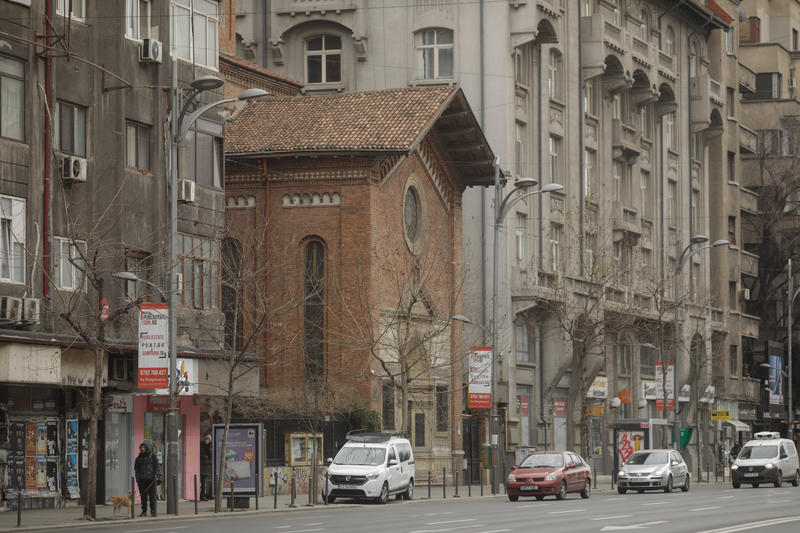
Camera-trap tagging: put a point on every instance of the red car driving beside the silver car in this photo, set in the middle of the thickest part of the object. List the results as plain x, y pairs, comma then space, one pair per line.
549, 473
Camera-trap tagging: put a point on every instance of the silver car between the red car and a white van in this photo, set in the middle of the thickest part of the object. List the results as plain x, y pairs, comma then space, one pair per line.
653, 470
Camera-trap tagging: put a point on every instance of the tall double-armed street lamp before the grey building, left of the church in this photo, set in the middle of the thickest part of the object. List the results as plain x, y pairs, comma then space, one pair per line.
181, 123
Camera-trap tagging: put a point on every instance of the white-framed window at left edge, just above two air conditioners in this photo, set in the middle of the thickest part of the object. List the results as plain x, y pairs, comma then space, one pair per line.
12, 239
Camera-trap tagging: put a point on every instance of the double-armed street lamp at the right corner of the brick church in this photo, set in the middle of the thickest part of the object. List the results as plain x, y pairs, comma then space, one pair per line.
502, 205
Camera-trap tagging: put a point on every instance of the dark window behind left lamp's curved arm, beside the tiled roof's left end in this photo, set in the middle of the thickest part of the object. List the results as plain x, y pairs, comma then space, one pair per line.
200, 157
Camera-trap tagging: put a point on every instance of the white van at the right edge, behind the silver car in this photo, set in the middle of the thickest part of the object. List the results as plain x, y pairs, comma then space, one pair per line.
766, 459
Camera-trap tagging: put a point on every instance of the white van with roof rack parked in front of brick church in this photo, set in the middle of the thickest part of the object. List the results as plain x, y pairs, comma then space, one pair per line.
371, 465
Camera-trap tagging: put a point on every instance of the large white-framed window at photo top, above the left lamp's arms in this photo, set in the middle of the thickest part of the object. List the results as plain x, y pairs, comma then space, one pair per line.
195, 31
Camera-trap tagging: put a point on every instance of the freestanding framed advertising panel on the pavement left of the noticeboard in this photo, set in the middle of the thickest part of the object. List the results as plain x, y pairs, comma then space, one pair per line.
241, 456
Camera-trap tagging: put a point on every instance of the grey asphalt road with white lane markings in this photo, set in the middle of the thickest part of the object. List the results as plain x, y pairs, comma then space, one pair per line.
705, 509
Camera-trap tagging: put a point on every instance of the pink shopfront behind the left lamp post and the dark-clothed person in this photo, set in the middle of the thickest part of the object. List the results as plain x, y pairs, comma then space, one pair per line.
150, 423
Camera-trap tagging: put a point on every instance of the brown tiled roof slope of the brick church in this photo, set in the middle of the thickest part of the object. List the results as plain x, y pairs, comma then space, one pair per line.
390, 119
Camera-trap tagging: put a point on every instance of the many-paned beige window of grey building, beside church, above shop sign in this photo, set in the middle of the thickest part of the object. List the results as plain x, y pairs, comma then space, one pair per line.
201, 271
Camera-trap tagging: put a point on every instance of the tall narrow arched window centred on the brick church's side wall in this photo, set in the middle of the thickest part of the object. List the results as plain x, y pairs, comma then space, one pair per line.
314, 309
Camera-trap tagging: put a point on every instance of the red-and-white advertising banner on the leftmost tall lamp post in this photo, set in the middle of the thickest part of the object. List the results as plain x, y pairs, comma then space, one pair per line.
153, 346
